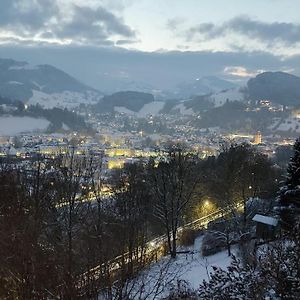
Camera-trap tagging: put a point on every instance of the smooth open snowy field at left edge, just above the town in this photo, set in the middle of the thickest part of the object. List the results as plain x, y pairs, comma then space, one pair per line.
17, 125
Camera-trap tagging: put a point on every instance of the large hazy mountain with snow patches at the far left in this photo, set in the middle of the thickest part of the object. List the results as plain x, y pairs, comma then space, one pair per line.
21, 81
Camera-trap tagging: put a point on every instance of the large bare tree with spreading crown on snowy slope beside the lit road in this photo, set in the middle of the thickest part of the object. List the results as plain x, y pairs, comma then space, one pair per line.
173, 184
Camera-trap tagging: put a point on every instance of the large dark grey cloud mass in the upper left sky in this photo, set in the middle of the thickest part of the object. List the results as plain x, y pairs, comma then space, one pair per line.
29, 19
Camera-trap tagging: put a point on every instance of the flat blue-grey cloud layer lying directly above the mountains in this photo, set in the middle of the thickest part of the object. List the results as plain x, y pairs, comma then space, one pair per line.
103, 68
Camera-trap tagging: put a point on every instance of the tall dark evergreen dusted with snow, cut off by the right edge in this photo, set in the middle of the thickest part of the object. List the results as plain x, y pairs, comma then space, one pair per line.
289, 195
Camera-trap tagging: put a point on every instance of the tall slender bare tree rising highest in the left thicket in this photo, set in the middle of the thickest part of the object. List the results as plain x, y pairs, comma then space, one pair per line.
72, 177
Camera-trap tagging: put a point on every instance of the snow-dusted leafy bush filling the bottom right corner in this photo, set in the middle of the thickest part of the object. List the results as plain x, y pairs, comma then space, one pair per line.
273, 274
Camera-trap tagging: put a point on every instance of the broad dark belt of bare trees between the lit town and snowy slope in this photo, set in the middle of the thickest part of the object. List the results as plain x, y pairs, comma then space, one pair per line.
50, 239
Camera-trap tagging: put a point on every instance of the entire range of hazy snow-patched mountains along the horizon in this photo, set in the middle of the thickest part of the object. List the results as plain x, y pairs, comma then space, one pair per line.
51, 87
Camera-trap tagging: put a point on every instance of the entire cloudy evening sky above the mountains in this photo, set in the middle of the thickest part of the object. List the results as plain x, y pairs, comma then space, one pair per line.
160, 42
